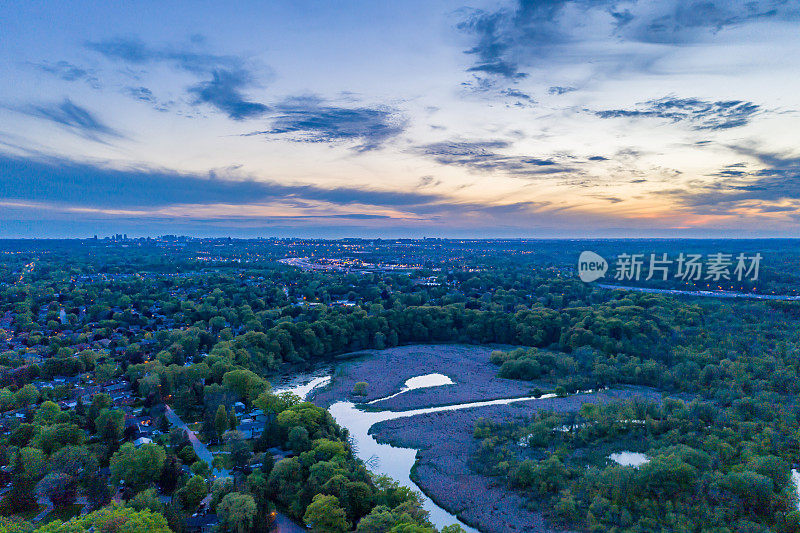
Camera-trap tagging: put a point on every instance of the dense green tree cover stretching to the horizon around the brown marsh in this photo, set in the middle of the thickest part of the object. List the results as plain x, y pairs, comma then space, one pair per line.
203, 328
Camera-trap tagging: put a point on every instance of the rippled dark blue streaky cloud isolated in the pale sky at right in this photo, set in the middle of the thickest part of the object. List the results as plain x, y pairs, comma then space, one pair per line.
700, 114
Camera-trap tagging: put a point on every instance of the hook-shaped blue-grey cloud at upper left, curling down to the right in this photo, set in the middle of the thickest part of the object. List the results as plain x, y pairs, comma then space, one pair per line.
226, 77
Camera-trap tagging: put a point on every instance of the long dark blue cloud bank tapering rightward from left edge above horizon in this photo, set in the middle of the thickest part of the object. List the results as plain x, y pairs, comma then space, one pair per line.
64, 182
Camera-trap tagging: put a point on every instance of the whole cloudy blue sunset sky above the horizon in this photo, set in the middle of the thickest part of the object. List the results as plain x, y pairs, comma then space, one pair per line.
552, 118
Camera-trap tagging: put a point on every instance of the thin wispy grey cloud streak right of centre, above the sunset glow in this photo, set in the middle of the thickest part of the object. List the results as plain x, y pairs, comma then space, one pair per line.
485, 156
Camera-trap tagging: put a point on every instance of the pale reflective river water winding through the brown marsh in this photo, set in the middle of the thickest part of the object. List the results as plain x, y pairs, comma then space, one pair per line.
384, 458
